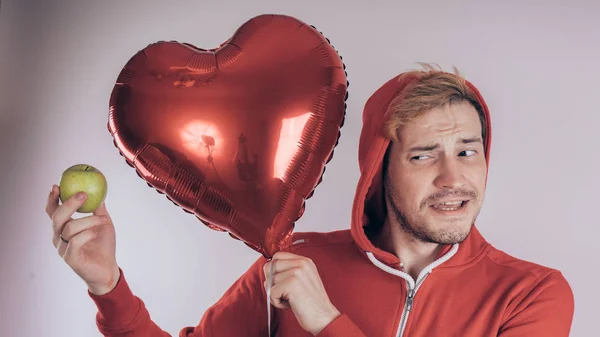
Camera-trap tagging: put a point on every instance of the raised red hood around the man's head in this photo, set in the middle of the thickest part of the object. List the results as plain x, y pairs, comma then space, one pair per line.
369, 210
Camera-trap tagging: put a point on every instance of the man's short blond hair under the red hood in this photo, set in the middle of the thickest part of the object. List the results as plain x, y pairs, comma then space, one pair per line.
433, 88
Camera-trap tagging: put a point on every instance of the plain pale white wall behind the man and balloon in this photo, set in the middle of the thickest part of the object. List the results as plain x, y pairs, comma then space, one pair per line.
536, 64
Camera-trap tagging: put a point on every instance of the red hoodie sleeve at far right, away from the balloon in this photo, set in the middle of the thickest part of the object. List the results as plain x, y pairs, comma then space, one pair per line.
547, 310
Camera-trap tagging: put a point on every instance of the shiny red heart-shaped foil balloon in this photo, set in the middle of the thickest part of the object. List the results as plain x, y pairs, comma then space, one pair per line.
238, 135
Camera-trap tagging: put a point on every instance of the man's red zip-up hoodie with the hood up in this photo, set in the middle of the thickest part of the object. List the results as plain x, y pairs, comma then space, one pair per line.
473, 289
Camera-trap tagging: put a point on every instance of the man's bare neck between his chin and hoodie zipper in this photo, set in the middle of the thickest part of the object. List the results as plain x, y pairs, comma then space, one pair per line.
413, 253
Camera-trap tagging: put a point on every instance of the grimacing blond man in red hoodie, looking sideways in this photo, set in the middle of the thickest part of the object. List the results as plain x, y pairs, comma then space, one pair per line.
412, 264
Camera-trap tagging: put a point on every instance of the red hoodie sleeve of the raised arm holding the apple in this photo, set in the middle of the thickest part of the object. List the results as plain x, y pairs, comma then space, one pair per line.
121, 313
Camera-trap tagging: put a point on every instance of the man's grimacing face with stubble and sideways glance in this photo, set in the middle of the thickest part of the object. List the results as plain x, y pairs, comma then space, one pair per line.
436, 174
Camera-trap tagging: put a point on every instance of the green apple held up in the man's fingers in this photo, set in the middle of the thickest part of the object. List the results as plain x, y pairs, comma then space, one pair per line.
86, 178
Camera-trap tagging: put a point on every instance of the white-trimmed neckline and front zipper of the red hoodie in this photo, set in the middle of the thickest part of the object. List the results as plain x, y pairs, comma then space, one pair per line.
412, 287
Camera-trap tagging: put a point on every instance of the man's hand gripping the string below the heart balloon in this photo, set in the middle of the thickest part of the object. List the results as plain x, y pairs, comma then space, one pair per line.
297, 285
